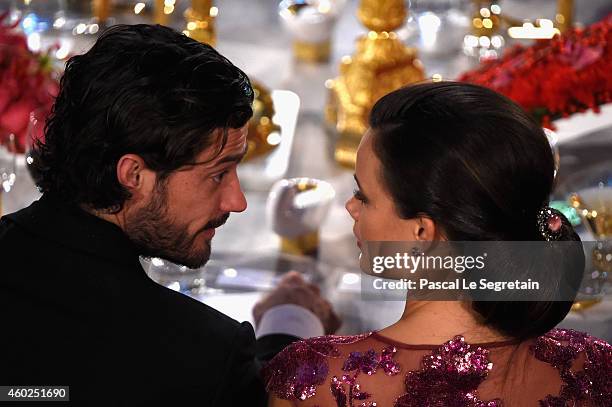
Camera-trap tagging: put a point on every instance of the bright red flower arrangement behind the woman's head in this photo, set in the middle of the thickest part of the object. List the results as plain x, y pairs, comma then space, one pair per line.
555, 78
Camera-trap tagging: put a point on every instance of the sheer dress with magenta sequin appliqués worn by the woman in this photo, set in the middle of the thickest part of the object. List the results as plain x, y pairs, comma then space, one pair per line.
561, 368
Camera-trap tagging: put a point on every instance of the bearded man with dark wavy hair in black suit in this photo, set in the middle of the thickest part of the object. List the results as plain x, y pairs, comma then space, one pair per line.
139, 158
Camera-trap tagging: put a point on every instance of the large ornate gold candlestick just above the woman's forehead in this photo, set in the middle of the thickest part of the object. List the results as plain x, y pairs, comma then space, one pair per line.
380, 65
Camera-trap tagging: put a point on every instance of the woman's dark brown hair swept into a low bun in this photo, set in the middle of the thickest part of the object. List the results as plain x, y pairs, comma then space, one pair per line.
481, 168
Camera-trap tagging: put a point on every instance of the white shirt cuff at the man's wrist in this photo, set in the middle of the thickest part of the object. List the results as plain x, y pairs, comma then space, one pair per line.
290, 319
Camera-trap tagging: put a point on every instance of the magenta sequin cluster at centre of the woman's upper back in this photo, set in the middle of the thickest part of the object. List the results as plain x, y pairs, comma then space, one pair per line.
449, 376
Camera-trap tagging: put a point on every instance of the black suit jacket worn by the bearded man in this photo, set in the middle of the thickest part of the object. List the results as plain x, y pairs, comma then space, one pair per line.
78, 310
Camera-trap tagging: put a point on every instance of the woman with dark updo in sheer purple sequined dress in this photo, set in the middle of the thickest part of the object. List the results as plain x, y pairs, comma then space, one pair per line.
454, 162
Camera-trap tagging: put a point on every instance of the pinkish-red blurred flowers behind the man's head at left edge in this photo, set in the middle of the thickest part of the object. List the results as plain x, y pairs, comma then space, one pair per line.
27, 83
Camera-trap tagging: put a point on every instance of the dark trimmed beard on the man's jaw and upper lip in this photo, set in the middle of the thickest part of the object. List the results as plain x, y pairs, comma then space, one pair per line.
155, 234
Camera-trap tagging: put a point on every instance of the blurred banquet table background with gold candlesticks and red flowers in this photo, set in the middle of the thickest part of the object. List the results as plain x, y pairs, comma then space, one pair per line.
318, 66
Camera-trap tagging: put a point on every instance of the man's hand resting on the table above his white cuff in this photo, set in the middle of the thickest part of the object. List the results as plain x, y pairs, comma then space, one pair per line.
293, 289
